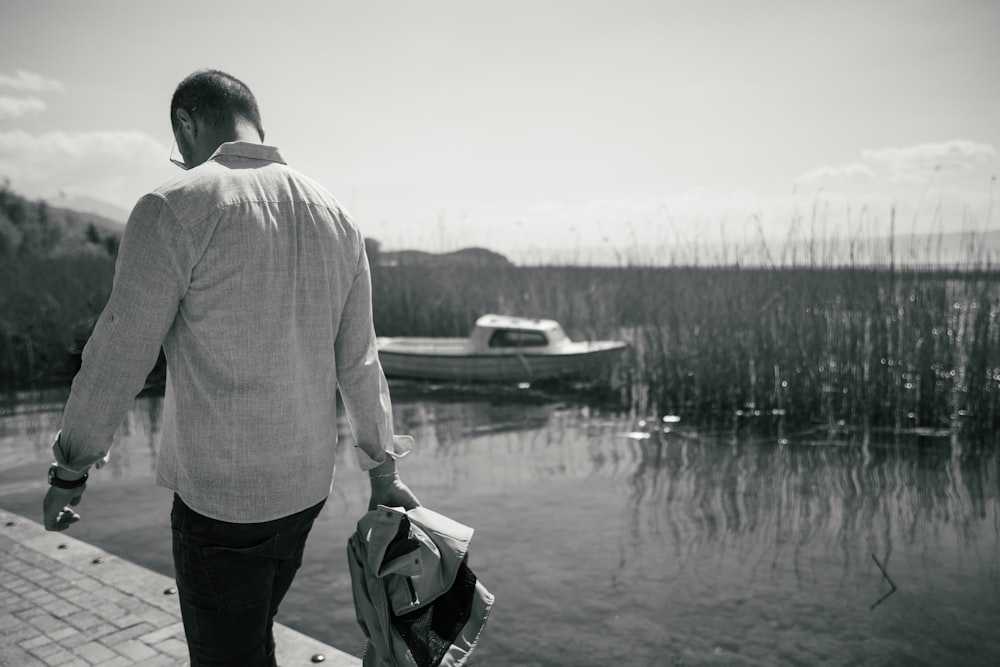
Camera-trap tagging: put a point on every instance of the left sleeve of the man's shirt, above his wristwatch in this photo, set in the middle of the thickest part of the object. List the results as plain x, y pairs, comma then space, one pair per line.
151, 277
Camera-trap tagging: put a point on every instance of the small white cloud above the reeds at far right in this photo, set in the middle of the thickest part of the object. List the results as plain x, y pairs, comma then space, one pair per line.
920, 160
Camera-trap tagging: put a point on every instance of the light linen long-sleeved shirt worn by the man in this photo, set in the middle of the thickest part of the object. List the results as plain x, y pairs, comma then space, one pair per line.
256, 283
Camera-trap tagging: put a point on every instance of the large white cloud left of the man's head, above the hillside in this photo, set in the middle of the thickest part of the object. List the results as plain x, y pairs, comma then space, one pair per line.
115, 166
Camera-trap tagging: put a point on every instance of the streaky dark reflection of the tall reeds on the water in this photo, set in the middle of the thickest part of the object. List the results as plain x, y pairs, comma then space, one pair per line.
768, 501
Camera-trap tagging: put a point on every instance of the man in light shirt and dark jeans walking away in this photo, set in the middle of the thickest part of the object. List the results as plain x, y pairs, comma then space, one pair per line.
256, 284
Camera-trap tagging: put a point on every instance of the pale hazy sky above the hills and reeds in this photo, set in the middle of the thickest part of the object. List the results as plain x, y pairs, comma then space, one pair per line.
559, 130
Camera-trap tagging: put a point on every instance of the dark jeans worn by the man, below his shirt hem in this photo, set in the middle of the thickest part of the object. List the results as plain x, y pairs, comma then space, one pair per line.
231, 578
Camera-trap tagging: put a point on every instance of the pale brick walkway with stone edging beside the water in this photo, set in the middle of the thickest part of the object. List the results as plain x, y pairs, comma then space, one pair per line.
66, 603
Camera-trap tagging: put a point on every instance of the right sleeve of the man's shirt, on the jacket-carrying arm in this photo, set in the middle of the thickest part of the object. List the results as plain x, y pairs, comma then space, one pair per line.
362, 383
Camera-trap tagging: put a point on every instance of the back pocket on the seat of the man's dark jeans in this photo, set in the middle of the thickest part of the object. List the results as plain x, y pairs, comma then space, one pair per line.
240, 577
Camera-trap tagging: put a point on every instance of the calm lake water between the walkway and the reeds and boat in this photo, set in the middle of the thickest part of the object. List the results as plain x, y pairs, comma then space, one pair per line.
608, 541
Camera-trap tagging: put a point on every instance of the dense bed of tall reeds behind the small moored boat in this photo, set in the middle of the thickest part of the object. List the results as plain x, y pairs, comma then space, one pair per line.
868, 348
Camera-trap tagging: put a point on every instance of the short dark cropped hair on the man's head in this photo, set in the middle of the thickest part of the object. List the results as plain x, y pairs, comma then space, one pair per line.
217, 98
